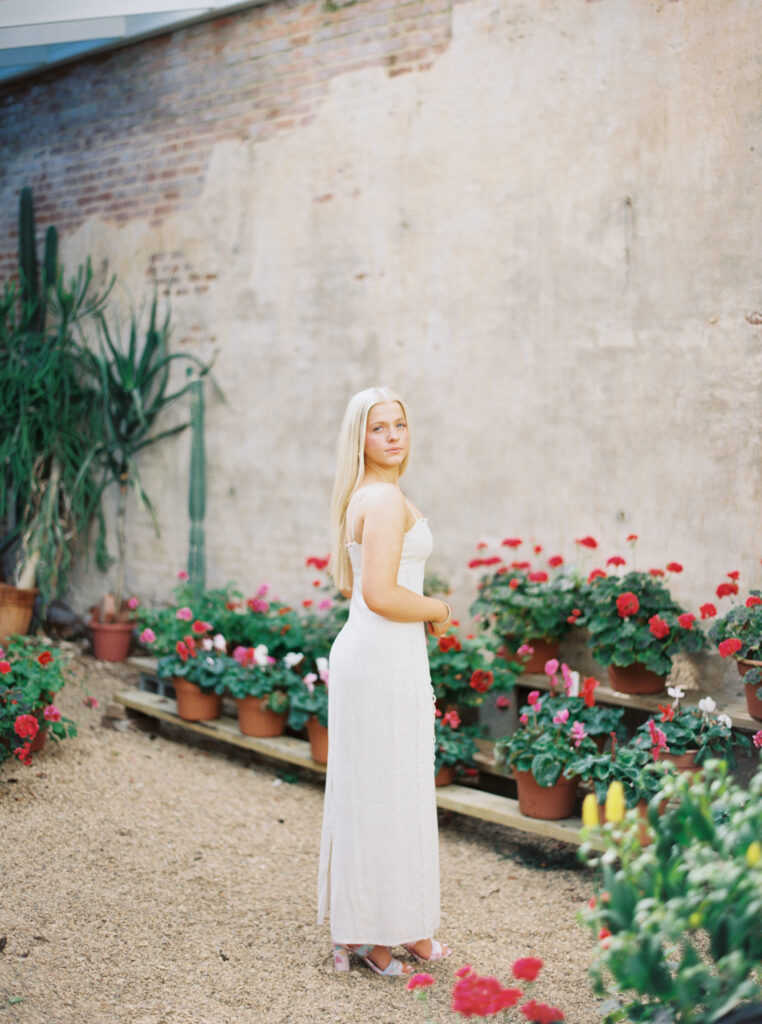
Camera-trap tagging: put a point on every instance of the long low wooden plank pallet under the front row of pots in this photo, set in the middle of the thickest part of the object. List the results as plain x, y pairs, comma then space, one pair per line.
460, 799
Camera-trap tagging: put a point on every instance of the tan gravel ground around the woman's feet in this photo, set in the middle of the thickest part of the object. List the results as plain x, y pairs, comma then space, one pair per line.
151, 879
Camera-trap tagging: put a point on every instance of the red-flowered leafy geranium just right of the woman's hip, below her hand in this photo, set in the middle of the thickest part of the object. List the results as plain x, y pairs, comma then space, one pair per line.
465, 669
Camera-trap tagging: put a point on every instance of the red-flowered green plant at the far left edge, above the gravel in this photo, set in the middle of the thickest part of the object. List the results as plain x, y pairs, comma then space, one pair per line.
31, 675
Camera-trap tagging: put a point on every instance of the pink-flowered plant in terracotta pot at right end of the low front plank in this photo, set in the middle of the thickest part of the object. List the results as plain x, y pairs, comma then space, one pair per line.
544, 758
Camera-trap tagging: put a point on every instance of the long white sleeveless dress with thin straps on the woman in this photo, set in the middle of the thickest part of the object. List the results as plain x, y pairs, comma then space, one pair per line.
379, 851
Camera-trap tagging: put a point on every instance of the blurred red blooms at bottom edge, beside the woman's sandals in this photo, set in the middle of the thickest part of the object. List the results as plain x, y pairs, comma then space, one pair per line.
477, 996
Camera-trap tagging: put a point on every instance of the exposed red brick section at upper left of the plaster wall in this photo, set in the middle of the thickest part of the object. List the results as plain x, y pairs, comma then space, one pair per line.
129, 134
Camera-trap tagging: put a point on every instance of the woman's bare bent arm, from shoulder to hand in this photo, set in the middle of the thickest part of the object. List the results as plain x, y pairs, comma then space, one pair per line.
384, 533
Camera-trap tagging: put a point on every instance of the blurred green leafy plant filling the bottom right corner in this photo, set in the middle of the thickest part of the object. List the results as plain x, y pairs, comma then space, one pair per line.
678, 922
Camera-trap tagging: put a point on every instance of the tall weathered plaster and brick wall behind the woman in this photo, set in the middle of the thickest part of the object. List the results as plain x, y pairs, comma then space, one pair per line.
546, 236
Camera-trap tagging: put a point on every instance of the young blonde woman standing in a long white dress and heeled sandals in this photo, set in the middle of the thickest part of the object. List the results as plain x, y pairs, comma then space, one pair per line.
379, 854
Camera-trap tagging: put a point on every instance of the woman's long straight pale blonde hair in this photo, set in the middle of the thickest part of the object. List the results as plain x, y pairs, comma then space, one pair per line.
350, 473
